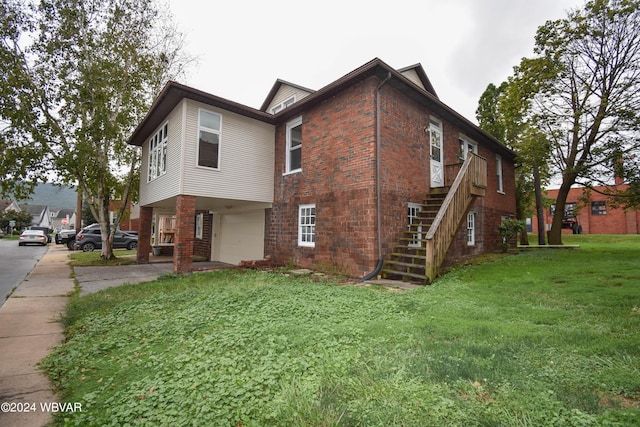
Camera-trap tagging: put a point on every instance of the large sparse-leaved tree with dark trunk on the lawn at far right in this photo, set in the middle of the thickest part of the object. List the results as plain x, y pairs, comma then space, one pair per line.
588, 104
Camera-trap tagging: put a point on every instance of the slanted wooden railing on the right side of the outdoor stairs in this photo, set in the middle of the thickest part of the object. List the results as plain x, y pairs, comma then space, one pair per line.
471, 182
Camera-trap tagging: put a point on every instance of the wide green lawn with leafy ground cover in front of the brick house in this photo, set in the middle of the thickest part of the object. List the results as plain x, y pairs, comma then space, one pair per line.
546, 337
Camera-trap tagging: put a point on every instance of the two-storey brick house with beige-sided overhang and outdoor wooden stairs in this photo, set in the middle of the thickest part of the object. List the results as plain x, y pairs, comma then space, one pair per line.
340, 178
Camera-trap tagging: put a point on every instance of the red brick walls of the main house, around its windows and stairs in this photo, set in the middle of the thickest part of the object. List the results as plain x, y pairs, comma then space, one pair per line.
338, 176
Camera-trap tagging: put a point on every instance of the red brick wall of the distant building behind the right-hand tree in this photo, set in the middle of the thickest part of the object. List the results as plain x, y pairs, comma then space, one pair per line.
616, 221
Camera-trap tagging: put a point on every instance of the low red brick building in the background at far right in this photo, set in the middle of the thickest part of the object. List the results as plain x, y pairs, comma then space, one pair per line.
592, 213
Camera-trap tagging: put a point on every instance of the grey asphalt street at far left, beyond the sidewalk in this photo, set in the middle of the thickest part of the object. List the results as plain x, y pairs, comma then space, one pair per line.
15, 263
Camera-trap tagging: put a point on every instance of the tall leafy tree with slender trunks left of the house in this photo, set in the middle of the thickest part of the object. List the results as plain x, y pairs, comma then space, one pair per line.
76, 77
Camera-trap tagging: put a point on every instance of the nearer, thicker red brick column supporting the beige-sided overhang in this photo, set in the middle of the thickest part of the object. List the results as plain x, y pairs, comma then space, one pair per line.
183, 246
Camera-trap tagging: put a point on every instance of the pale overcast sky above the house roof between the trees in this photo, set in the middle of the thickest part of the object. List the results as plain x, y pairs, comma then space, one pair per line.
243, 46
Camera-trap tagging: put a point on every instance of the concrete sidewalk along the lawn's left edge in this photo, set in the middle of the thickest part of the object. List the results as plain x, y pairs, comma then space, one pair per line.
29, 327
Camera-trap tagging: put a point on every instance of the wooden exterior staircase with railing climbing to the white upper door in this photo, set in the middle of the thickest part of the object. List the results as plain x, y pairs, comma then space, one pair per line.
424, 245
